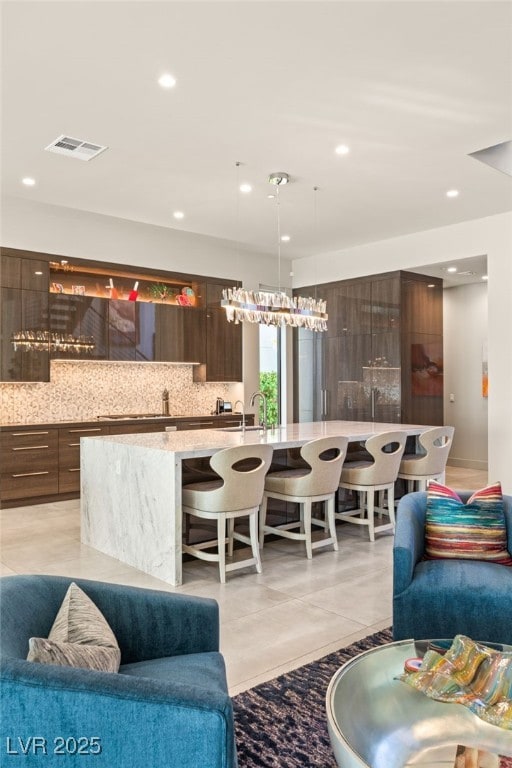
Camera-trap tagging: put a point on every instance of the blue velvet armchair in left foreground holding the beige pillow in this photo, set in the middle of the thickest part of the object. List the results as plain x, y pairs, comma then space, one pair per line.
168, 706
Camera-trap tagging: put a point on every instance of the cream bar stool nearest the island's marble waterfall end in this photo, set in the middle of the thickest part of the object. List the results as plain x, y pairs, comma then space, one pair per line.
237, 493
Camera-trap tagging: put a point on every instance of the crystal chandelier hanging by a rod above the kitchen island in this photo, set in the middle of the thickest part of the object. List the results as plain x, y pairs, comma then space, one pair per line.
275, 308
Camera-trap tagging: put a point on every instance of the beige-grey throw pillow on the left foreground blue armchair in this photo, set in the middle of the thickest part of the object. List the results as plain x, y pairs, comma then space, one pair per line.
80, 637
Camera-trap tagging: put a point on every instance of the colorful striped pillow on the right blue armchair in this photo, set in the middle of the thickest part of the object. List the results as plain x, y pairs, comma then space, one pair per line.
472, 531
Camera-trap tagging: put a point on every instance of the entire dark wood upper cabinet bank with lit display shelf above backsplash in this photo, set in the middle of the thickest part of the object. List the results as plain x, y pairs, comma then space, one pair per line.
164, 317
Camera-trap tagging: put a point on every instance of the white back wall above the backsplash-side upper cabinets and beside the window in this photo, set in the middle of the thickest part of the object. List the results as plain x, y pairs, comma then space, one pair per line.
67, 232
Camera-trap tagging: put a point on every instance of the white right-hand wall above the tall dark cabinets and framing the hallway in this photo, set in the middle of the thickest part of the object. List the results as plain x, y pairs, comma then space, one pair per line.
491, 236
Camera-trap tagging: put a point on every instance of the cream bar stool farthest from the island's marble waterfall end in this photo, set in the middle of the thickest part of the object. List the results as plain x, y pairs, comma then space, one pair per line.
430, 463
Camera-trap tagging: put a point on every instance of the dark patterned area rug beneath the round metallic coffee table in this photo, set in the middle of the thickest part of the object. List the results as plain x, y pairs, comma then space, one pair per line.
282, 723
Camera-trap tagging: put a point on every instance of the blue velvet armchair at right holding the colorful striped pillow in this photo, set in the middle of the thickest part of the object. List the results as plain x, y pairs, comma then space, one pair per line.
442, 598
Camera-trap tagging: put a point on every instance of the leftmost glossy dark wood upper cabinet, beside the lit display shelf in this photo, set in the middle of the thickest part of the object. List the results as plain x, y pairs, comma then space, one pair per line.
24, 341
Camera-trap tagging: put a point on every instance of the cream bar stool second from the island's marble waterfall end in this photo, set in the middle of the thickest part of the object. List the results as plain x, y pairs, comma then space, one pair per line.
318, 480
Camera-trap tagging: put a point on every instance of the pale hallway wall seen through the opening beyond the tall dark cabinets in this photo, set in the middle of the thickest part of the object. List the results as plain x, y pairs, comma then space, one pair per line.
465, 334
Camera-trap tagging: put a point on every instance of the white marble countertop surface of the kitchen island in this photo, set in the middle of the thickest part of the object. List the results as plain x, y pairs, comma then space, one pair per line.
203, 442
